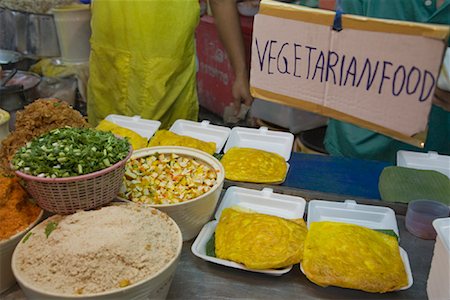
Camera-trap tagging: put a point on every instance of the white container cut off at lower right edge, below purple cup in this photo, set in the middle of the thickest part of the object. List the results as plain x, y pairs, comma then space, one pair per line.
438, 284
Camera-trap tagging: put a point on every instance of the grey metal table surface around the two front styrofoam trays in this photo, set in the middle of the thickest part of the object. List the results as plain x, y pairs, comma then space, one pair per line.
198, 279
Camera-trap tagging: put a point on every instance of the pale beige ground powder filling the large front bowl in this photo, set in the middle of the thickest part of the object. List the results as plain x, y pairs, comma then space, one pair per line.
95, 251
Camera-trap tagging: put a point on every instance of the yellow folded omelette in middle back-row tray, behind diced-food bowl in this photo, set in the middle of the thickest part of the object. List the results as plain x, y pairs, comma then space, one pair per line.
168, 138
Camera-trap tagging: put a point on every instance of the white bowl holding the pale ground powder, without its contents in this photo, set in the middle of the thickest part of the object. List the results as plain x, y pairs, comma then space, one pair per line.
155, 286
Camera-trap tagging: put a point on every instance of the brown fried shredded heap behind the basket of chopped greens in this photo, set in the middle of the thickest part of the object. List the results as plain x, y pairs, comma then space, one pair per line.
34, 120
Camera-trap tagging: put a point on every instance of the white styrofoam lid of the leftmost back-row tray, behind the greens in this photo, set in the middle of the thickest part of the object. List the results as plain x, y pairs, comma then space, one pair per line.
143, 127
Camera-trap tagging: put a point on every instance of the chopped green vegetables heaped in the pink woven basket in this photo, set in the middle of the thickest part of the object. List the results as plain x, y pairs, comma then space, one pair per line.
67, 152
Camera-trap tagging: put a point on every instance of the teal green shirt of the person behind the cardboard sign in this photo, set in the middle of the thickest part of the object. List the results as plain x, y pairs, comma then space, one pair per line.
344, 139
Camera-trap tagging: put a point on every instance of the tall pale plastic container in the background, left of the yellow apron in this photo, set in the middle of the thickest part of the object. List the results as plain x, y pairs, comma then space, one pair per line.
73, 30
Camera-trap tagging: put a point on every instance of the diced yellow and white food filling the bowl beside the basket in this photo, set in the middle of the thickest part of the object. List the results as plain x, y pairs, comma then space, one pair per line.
167, 179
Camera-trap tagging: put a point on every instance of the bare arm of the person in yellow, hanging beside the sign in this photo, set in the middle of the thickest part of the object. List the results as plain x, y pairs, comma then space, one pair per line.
228, 26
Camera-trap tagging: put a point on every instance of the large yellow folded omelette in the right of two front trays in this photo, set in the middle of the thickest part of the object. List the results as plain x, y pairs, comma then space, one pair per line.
352, 256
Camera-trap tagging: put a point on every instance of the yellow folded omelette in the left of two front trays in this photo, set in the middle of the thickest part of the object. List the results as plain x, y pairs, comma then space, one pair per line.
259, 241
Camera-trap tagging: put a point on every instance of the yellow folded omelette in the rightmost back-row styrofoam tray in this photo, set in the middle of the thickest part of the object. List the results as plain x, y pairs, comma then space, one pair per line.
253, 165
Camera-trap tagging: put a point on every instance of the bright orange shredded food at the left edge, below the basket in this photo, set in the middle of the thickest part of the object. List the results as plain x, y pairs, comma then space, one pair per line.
16, 211
